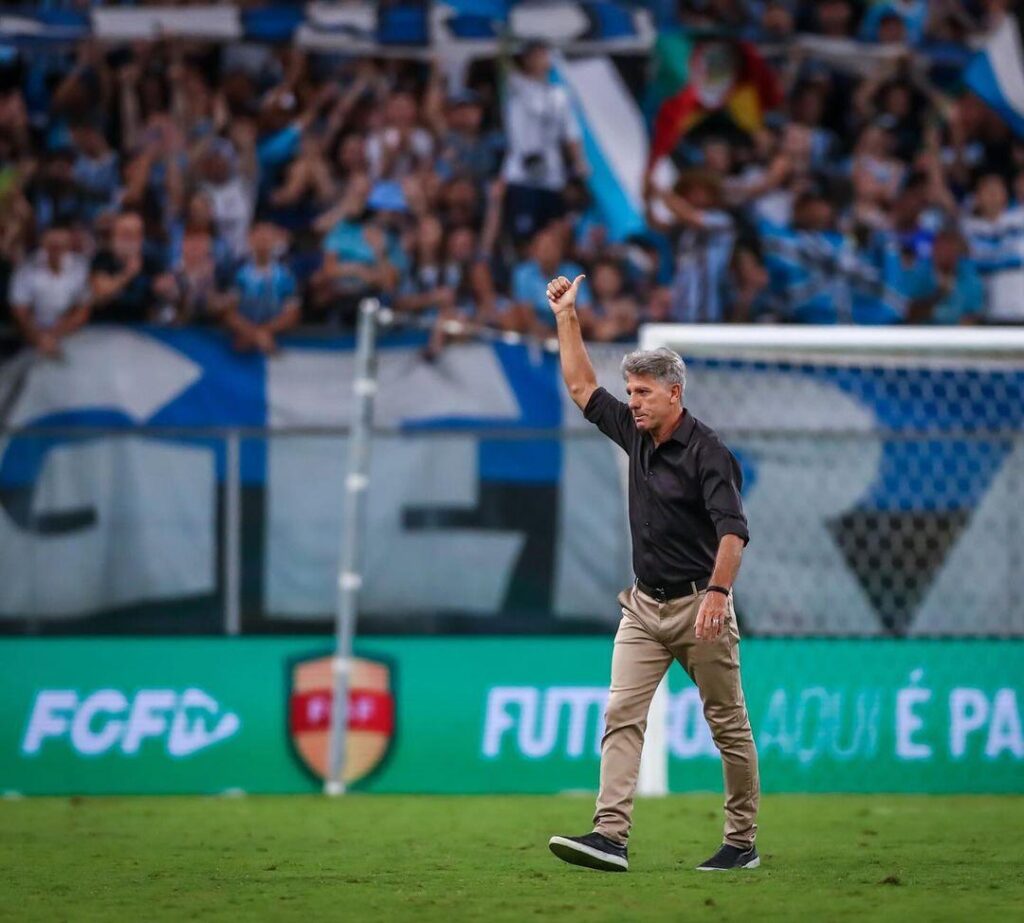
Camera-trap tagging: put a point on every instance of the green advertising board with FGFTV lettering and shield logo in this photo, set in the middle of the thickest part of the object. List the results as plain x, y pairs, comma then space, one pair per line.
525, 715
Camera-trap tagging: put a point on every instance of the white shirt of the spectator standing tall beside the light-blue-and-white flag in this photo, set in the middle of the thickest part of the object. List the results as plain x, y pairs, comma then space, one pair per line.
538, 121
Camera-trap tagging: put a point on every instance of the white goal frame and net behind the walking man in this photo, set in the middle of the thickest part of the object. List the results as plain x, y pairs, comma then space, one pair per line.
884, 481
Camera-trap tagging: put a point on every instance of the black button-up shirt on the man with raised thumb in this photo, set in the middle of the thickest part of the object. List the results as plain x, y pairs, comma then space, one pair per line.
685, 494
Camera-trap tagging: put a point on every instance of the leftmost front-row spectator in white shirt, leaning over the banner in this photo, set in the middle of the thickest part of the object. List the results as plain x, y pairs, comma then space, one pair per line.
50, 293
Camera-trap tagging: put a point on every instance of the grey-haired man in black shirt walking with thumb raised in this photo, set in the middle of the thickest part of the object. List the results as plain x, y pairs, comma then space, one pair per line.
689, 531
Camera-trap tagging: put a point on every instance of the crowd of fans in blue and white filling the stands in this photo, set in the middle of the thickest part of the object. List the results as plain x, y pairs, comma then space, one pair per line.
259, 188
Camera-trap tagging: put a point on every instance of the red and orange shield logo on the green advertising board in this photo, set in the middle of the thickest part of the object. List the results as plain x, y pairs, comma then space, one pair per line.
371, 716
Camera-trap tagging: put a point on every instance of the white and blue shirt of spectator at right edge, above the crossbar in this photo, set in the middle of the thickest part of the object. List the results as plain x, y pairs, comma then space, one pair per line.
998, 248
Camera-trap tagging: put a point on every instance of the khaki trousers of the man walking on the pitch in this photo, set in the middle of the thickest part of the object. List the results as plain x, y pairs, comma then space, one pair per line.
650, 637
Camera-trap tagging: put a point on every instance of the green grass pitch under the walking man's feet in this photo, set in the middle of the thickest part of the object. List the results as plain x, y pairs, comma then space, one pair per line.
386, 858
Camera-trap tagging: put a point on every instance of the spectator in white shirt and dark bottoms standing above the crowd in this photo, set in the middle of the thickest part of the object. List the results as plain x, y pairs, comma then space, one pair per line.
539, 123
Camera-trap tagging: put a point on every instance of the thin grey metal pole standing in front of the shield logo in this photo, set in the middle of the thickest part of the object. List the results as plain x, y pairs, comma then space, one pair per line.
350, 577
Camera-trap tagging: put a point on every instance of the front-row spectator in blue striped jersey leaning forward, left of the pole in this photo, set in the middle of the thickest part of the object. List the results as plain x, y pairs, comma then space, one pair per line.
264, 302
